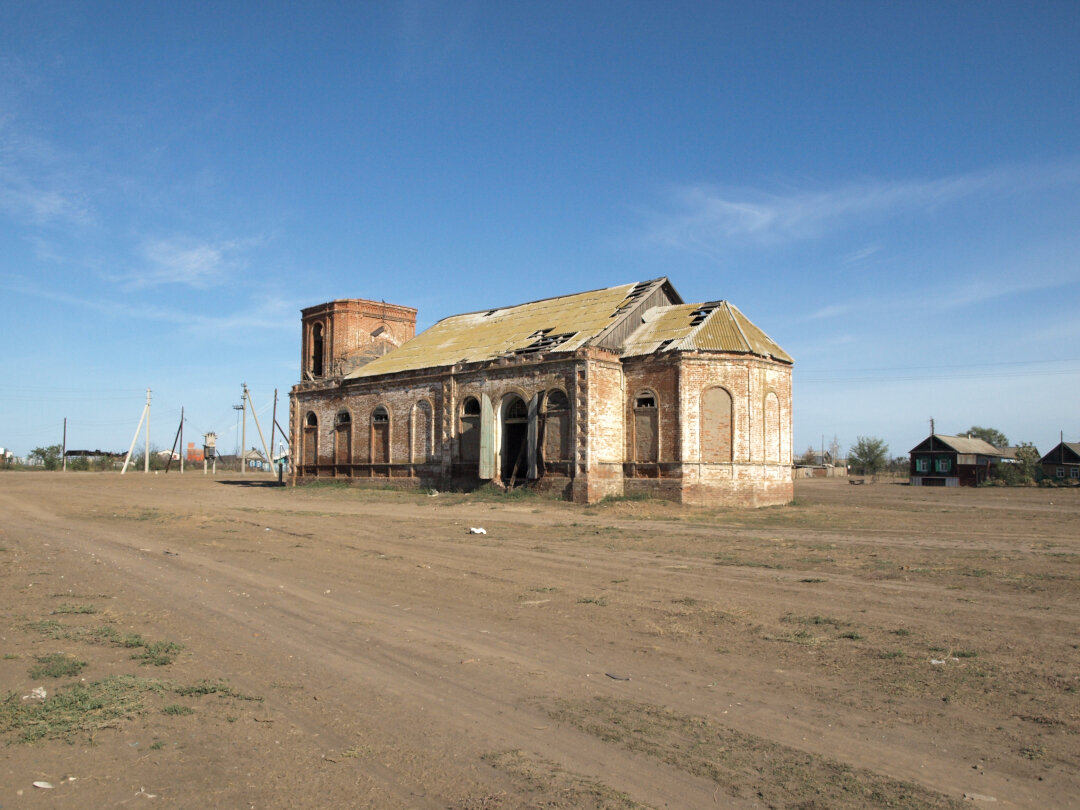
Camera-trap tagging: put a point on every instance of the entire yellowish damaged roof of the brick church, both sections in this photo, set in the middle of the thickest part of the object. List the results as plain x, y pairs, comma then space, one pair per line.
572, 322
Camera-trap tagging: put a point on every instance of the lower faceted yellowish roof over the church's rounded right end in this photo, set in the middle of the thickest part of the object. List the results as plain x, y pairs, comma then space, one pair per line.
714, 327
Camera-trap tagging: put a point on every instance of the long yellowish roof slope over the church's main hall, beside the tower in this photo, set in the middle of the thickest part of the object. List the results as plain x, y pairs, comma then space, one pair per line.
562, 325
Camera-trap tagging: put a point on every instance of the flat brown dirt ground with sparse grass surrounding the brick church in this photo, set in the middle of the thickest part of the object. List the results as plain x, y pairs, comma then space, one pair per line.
221, 643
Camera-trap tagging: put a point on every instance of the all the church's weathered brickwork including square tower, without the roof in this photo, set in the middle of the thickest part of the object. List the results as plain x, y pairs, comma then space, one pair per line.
696, 427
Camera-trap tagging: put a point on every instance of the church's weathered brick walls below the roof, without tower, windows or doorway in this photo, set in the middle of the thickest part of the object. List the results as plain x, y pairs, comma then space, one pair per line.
602, 391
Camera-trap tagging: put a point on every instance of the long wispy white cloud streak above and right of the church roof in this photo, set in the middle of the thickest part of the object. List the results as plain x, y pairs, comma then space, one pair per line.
706, 220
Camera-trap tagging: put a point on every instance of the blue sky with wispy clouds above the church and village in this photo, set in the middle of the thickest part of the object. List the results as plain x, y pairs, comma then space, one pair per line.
890, 191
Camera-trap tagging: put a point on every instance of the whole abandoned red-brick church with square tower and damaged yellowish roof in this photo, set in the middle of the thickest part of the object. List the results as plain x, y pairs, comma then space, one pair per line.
618, 391
